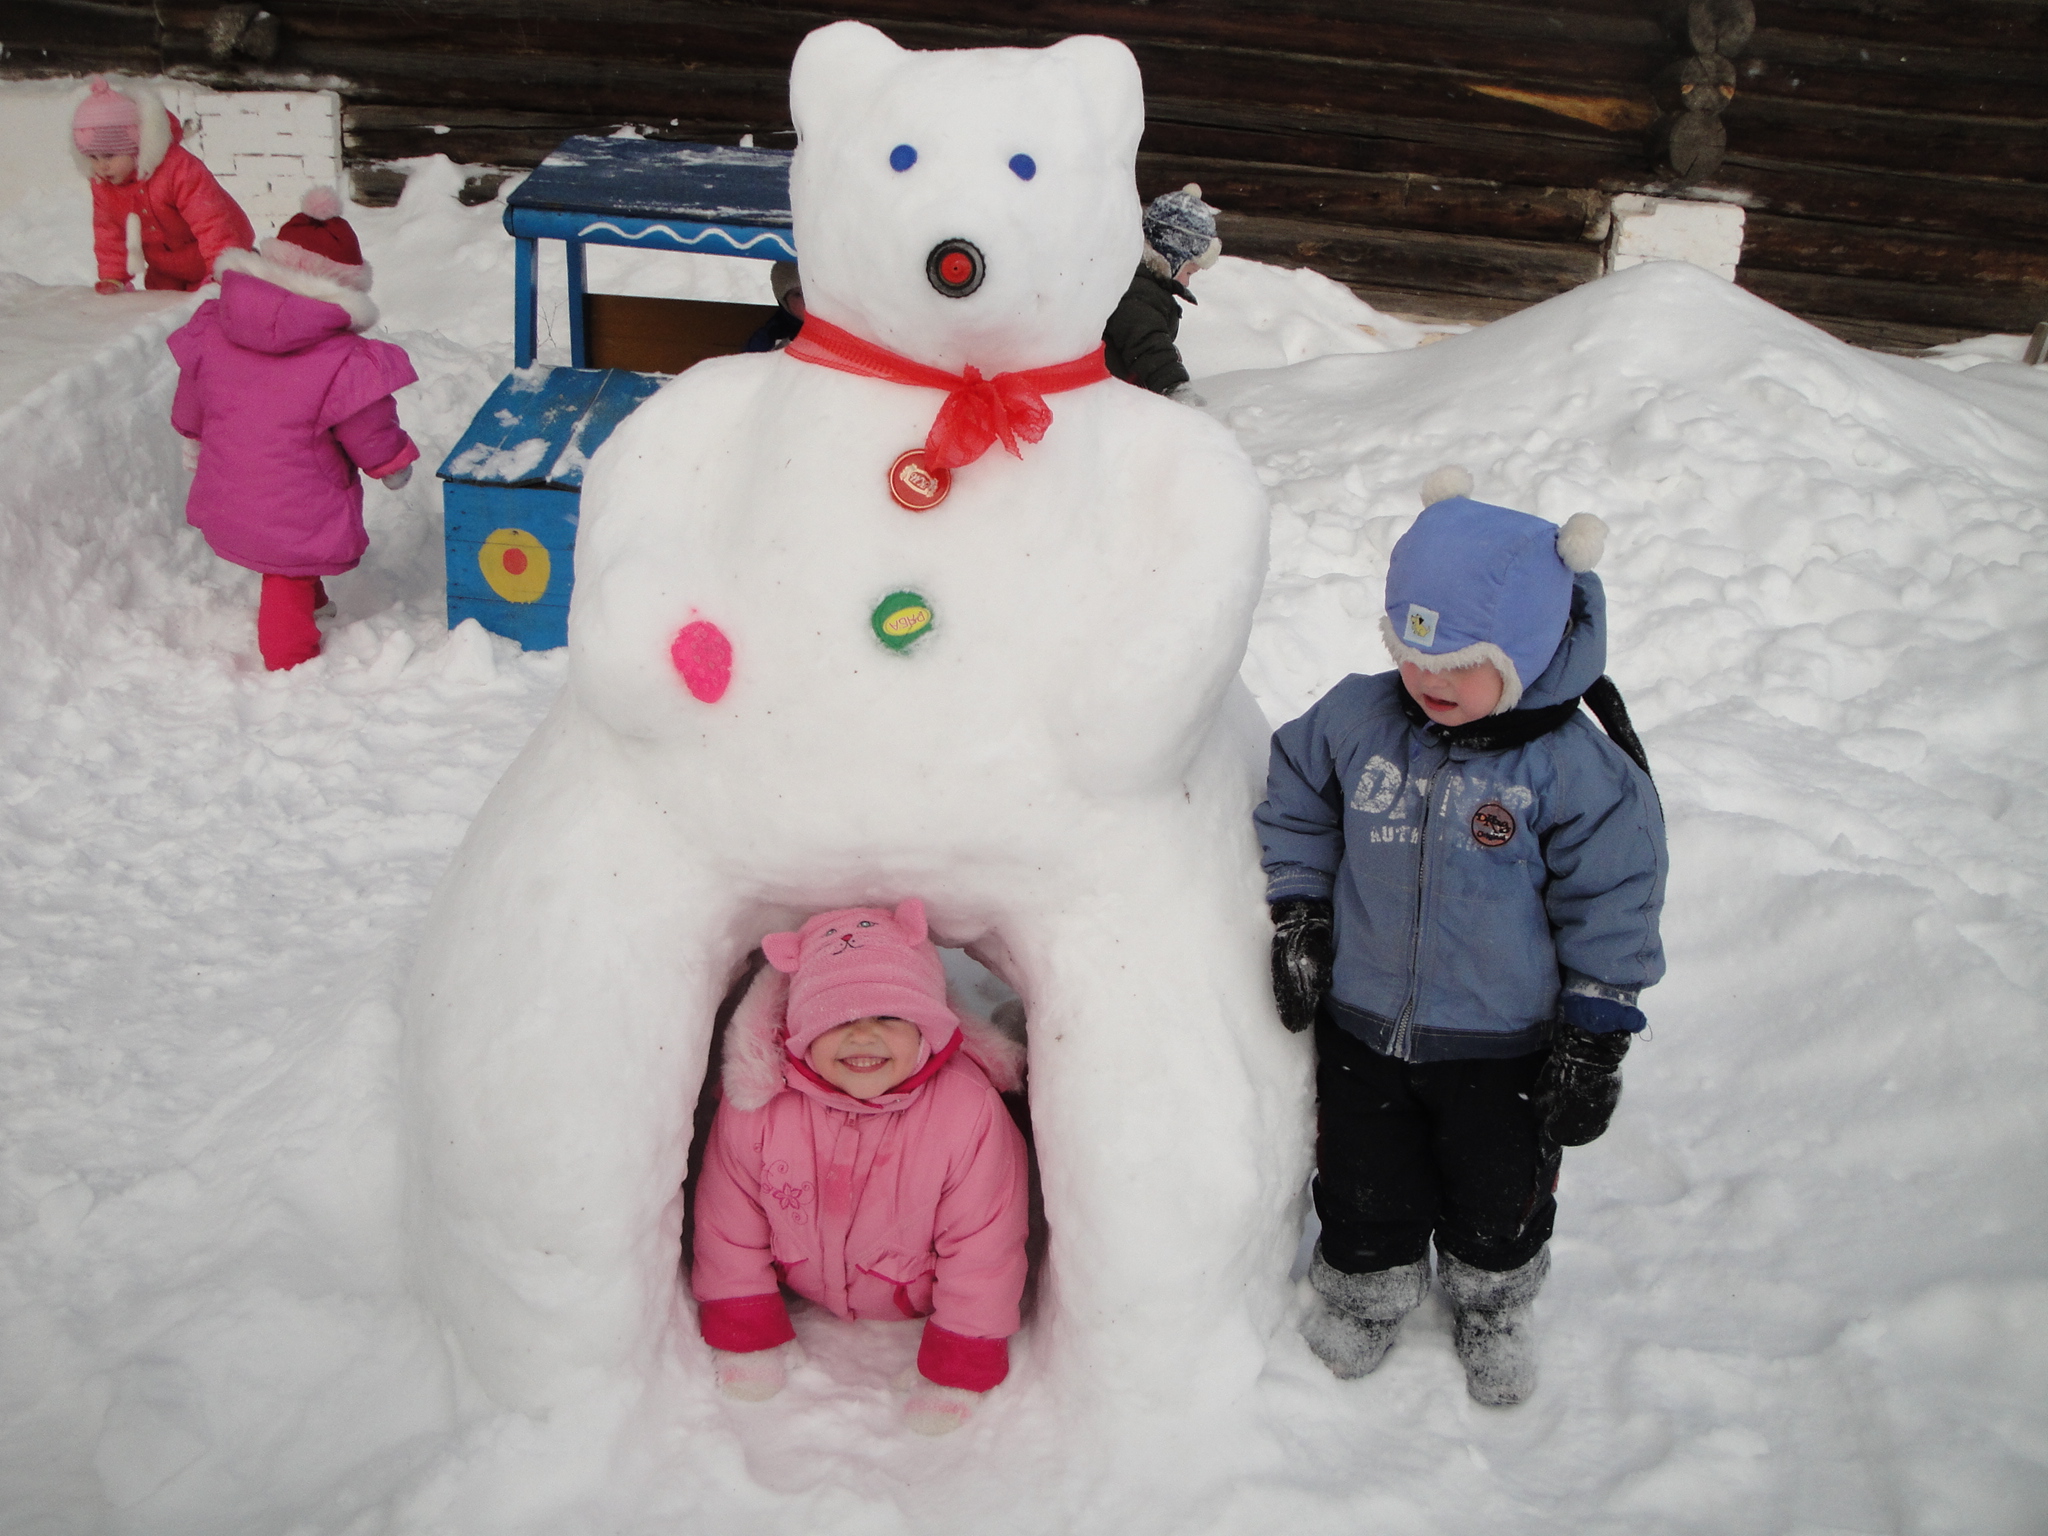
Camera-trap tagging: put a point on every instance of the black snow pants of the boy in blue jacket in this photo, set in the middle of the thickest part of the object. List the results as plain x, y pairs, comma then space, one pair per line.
1408, 1150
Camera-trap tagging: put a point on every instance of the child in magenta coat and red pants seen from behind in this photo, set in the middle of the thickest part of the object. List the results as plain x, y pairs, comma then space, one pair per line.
288, 402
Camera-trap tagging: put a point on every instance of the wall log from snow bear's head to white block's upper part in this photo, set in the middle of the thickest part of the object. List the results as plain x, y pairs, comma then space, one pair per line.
1467, 208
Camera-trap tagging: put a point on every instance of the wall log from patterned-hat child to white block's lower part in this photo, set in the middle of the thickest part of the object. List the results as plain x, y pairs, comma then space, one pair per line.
1412, 259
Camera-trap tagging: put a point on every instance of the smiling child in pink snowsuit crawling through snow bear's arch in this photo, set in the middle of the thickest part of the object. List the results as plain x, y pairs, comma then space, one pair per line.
863, 1158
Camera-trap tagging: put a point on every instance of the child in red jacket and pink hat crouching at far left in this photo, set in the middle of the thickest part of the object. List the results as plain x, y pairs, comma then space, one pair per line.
128, 146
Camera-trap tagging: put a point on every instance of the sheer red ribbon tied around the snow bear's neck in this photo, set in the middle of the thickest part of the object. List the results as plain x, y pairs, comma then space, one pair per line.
978, 413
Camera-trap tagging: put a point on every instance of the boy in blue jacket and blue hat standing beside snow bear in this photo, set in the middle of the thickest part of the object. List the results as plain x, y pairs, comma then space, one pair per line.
1465, 878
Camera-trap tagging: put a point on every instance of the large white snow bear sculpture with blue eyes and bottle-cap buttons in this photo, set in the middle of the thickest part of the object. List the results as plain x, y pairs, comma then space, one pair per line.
787, 693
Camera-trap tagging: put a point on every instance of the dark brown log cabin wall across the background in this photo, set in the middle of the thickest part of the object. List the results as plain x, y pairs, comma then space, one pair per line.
1441, 157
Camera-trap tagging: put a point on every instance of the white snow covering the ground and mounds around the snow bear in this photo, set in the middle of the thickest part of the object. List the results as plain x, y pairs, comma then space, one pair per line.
1801, 1287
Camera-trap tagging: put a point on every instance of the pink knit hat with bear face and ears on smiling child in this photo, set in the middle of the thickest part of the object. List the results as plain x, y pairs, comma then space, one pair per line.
863, 964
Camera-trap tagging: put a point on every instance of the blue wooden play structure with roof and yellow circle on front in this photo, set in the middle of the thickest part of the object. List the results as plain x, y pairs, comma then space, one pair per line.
513, 480
